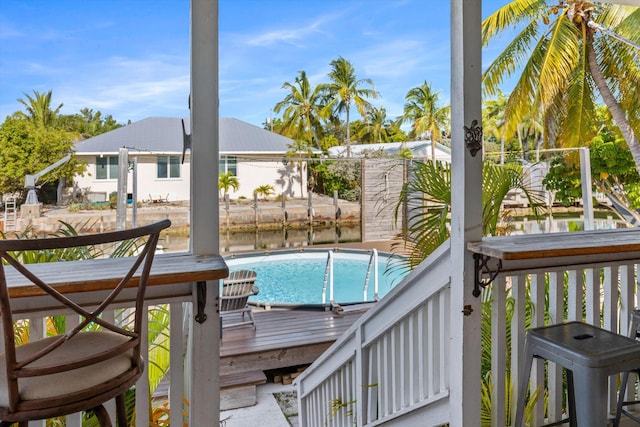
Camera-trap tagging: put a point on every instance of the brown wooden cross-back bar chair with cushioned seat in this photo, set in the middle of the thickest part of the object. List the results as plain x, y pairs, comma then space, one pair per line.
92, 362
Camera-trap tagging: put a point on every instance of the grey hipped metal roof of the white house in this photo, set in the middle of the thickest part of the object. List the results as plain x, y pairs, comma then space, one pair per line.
163, 135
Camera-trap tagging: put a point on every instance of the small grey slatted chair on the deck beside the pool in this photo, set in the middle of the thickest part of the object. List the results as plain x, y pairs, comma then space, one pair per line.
236, 290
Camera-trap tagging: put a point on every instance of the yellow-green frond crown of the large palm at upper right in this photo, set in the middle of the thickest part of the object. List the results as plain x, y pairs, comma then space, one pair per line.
565, 53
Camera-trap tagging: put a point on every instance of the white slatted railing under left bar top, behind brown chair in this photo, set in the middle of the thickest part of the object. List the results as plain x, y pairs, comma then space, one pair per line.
38, 324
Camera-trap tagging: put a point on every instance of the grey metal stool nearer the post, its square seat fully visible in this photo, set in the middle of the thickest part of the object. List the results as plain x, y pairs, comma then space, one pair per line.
590, 355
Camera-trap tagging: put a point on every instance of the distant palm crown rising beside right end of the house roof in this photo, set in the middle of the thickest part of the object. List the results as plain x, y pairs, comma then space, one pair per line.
303, 110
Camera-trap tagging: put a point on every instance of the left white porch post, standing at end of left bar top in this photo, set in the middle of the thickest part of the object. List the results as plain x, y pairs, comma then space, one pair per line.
204, 409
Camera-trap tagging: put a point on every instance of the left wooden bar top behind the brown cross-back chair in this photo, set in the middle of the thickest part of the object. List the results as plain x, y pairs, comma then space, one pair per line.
102, 274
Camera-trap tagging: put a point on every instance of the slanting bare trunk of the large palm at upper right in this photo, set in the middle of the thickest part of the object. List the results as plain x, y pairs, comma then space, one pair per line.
610, 101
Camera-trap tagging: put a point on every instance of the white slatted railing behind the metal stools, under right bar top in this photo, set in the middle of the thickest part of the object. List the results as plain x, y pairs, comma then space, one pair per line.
599, 293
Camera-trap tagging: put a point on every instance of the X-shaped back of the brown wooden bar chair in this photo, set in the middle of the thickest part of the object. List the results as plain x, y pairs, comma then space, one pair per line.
140, 256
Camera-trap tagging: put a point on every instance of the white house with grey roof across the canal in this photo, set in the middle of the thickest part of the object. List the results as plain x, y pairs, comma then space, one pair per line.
254, 155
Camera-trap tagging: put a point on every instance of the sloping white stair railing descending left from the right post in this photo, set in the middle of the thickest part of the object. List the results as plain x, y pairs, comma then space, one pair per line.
392, 363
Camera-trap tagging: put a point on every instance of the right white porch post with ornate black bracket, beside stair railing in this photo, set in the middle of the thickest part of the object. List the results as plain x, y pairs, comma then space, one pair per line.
466, 211
